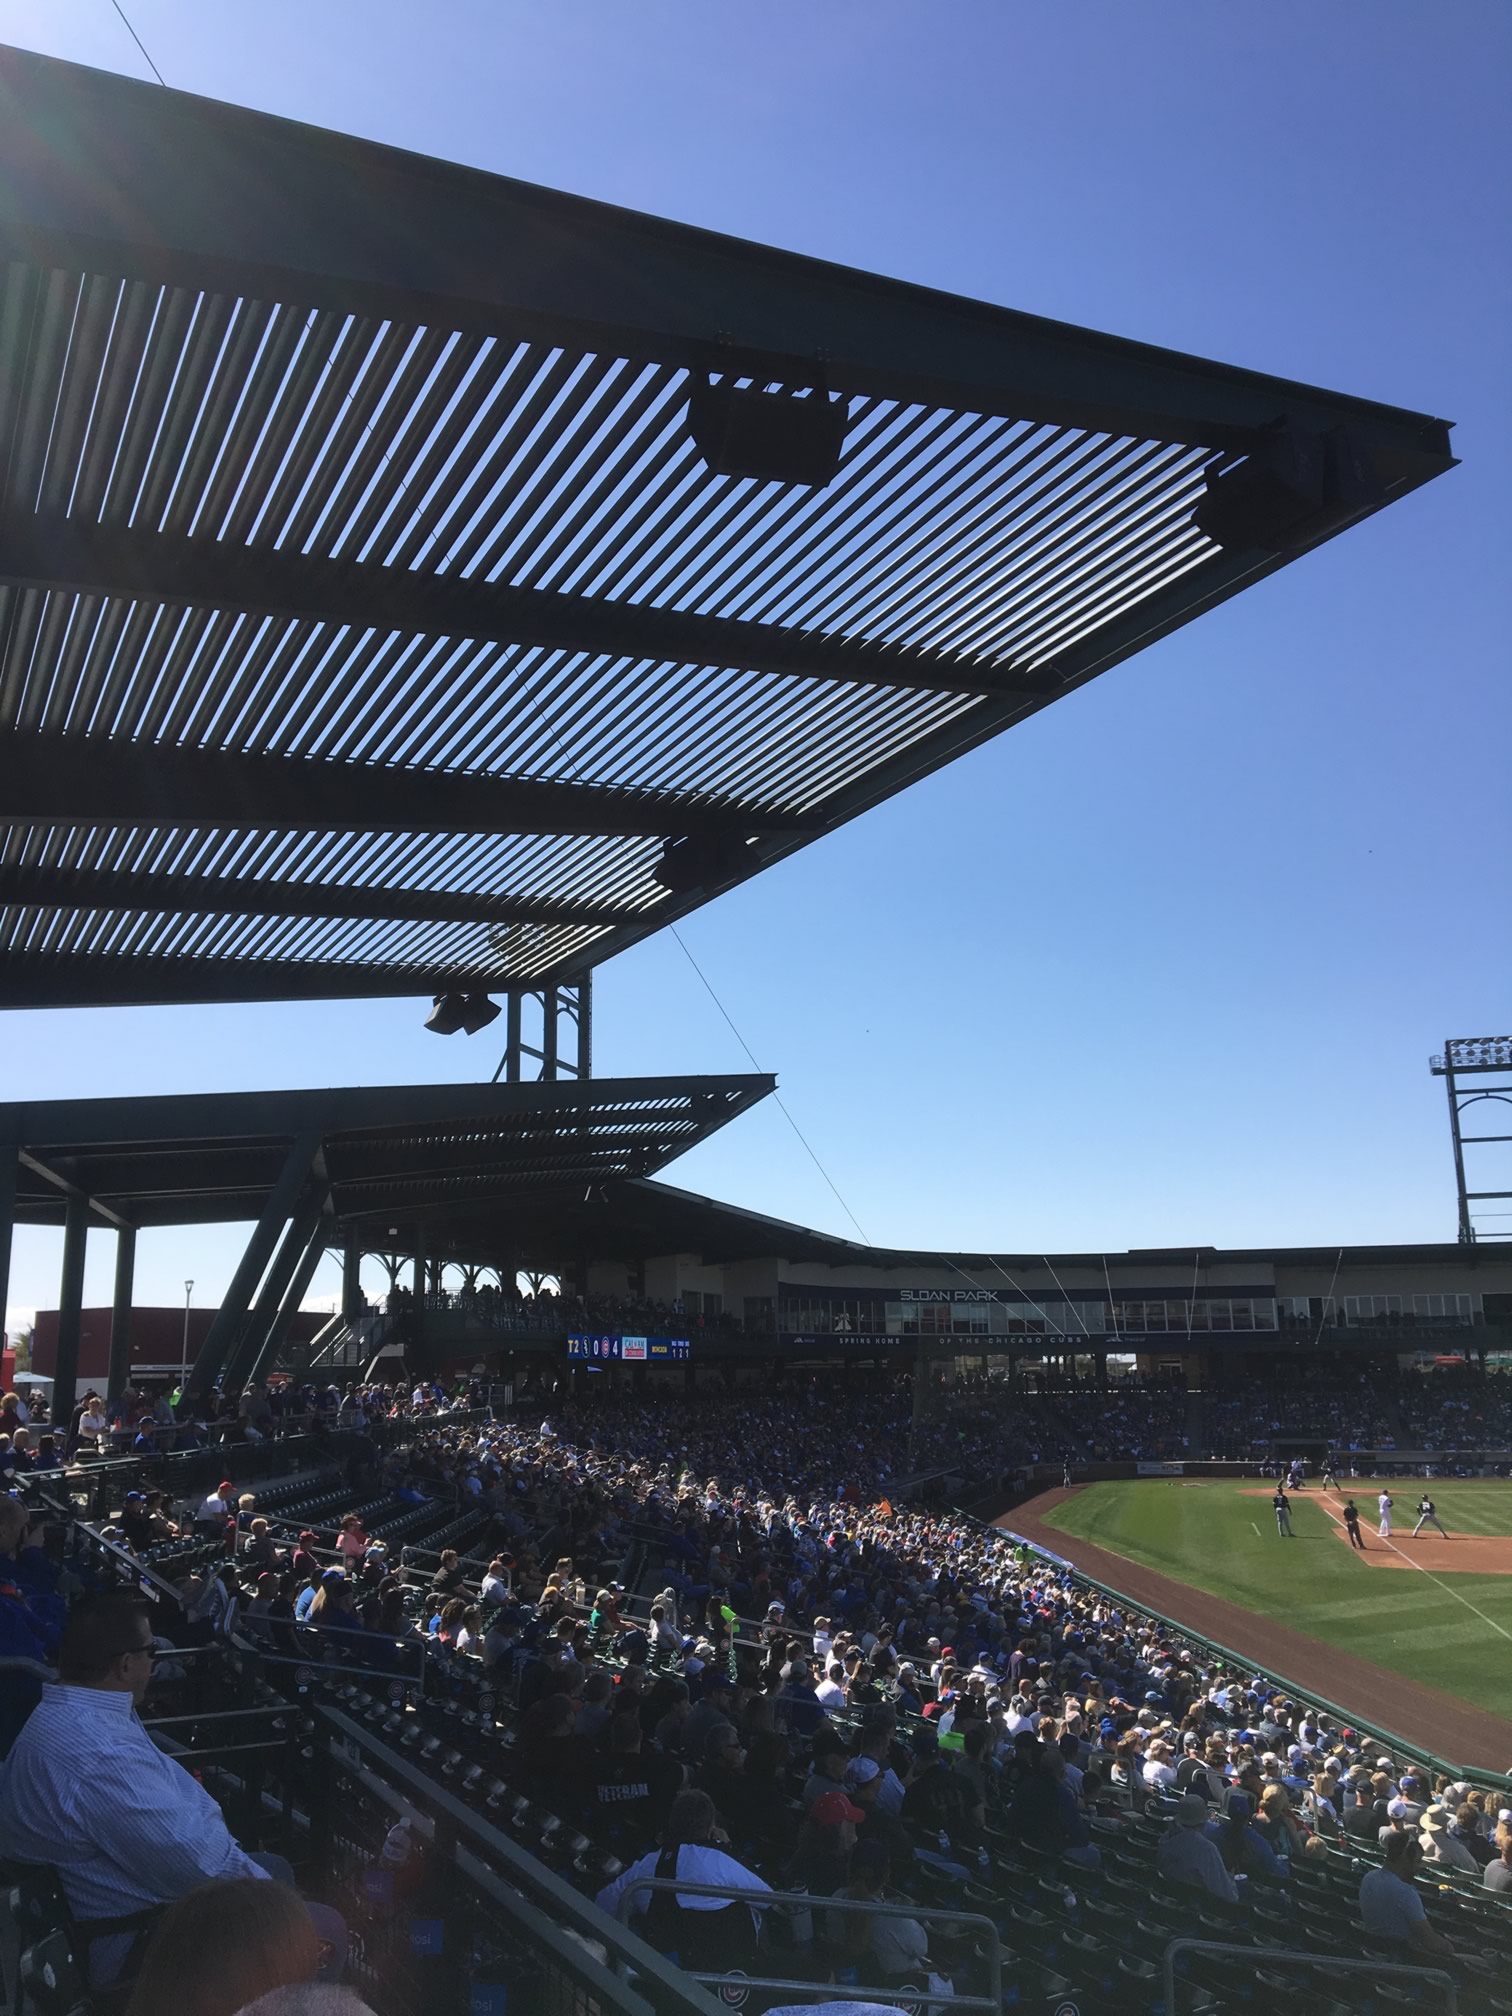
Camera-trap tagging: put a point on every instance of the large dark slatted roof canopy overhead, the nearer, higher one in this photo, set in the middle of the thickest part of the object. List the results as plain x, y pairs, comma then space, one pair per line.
372, 620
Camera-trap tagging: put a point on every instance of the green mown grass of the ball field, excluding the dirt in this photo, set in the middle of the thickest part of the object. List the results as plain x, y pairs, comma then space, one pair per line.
1213, 1537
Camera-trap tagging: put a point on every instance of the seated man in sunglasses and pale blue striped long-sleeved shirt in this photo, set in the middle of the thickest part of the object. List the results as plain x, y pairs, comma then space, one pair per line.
88, 1791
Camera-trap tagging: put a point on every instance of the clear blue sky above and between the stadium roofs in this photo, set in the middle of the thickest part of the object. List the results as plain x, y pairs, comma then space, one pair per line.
1164, 965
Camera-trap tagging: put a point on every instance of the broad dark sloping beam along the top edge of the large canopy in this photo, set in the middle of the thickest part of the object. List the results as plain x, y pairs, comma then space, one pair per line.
92, 178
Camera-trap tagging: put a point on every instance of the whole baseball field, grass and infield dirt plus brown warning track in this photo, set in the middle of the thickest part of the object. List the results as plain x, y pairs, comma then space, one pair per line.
1404, 1634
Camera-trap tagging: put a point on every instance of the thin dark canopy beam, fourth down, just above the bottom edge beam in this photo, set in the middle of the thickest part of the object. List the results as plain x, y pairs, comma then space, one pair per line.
53, 888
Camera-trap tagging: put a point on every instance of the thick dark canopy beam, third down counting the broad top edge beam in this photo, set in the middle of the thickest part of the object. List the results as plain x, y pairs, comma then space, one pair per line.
76, 779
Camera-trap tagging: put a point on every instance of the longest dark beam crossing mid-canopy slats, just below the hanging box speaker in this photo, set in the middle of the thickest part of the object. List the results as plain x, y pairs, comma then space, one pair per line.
269, 582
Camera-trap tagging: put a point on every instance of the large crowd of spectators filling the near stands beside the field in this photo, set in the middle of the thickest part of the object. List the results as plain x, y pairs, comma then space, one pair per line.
916, 1682
